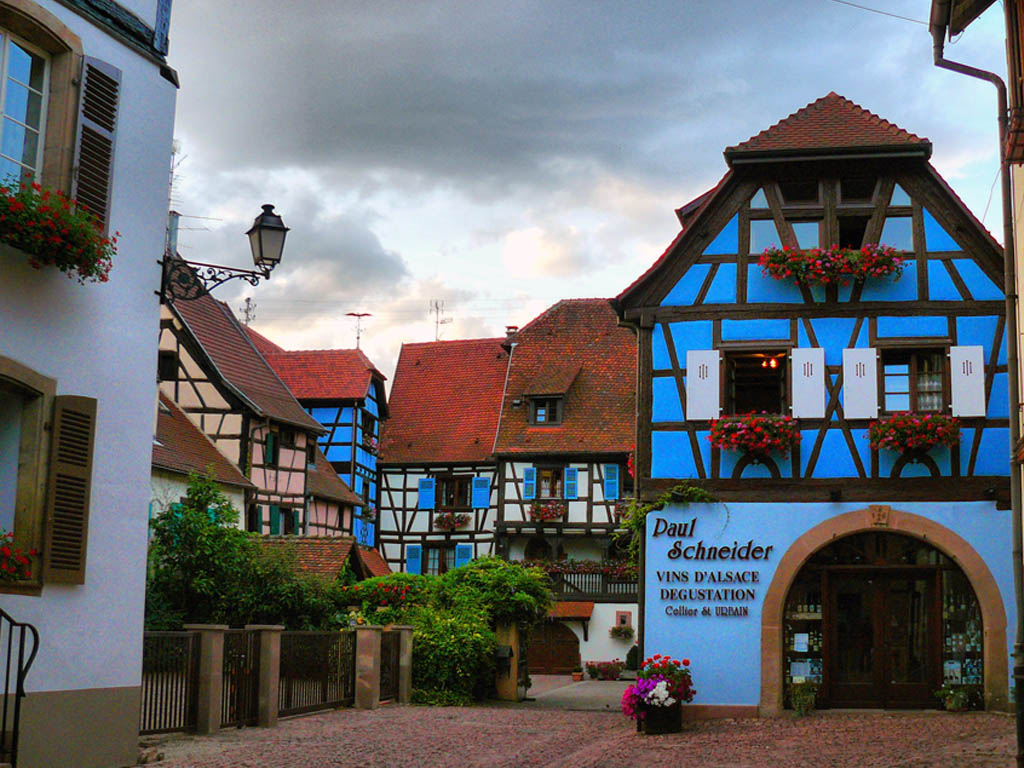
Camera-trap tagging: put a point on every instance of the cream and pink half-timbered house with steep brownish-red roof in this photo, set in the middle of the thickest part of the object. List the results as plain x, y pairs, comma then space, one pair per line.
209, 367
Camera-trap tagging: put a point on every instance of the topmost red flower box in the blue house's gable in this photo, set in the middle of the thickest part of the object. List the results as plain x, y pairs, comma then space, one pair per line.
825, 267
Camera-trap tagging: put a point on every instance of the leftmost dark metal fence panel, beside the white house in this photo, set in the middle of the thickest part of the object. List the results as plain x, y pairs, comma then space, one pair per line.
170, 681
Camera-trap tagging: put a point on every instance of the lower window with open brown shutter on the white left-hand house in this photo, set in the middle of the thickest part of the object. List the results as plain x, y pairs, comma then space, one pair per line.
47, 445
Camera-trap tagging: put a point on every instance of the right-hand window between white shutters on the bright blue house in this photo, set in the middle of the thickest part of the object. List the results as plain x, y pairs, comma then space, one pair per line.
914, 380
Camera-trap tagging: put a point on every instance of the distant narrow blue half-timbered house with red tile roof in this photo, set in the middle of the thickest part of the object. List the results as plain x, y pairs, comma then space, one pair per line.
345, 393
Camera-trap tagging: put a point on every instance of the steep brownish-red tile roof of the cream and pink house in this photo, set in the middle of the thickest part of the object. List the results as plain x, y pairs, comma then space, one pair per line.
243, 368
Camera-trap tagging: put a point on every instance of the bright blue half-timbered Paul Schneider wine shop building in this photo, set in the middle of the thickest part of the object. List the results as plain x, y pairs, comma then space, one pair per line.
877, 574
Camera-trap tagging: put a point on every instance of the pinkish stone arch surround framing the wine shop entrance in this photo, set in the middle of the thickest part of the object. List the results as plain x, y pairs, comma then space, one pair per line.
884, 519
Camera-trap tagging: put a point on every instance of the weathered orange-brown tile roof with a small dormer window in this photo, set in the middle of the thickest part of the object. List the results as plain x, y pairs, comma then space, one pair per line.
600, 409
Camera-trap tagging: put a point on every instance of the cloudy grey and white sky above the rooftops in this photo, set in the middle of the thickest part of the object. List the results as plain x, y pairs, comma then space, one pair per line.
501, 156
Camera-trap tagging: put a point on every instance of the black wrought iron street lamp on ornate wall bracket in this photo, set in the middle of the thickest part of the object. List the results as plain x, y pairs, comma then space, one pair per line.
185, 281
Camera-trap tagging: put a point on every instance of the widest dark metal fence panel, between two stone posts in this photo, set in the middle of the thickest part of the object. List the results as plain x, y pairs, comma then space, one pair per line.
318, 671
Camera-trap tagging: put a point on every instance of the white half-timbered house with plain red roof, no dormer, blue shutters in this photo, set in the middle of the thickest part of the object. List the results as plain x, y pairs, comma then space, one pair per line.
439, 496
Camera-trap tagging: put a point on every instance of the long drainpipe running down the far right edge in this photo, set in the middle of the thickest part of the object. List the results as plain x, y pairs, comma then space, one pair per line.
940, 21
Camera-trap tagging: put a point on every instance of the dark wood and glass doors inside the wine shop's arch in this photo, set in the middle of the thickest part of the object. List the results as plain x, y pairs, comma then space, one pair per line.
882, 620
